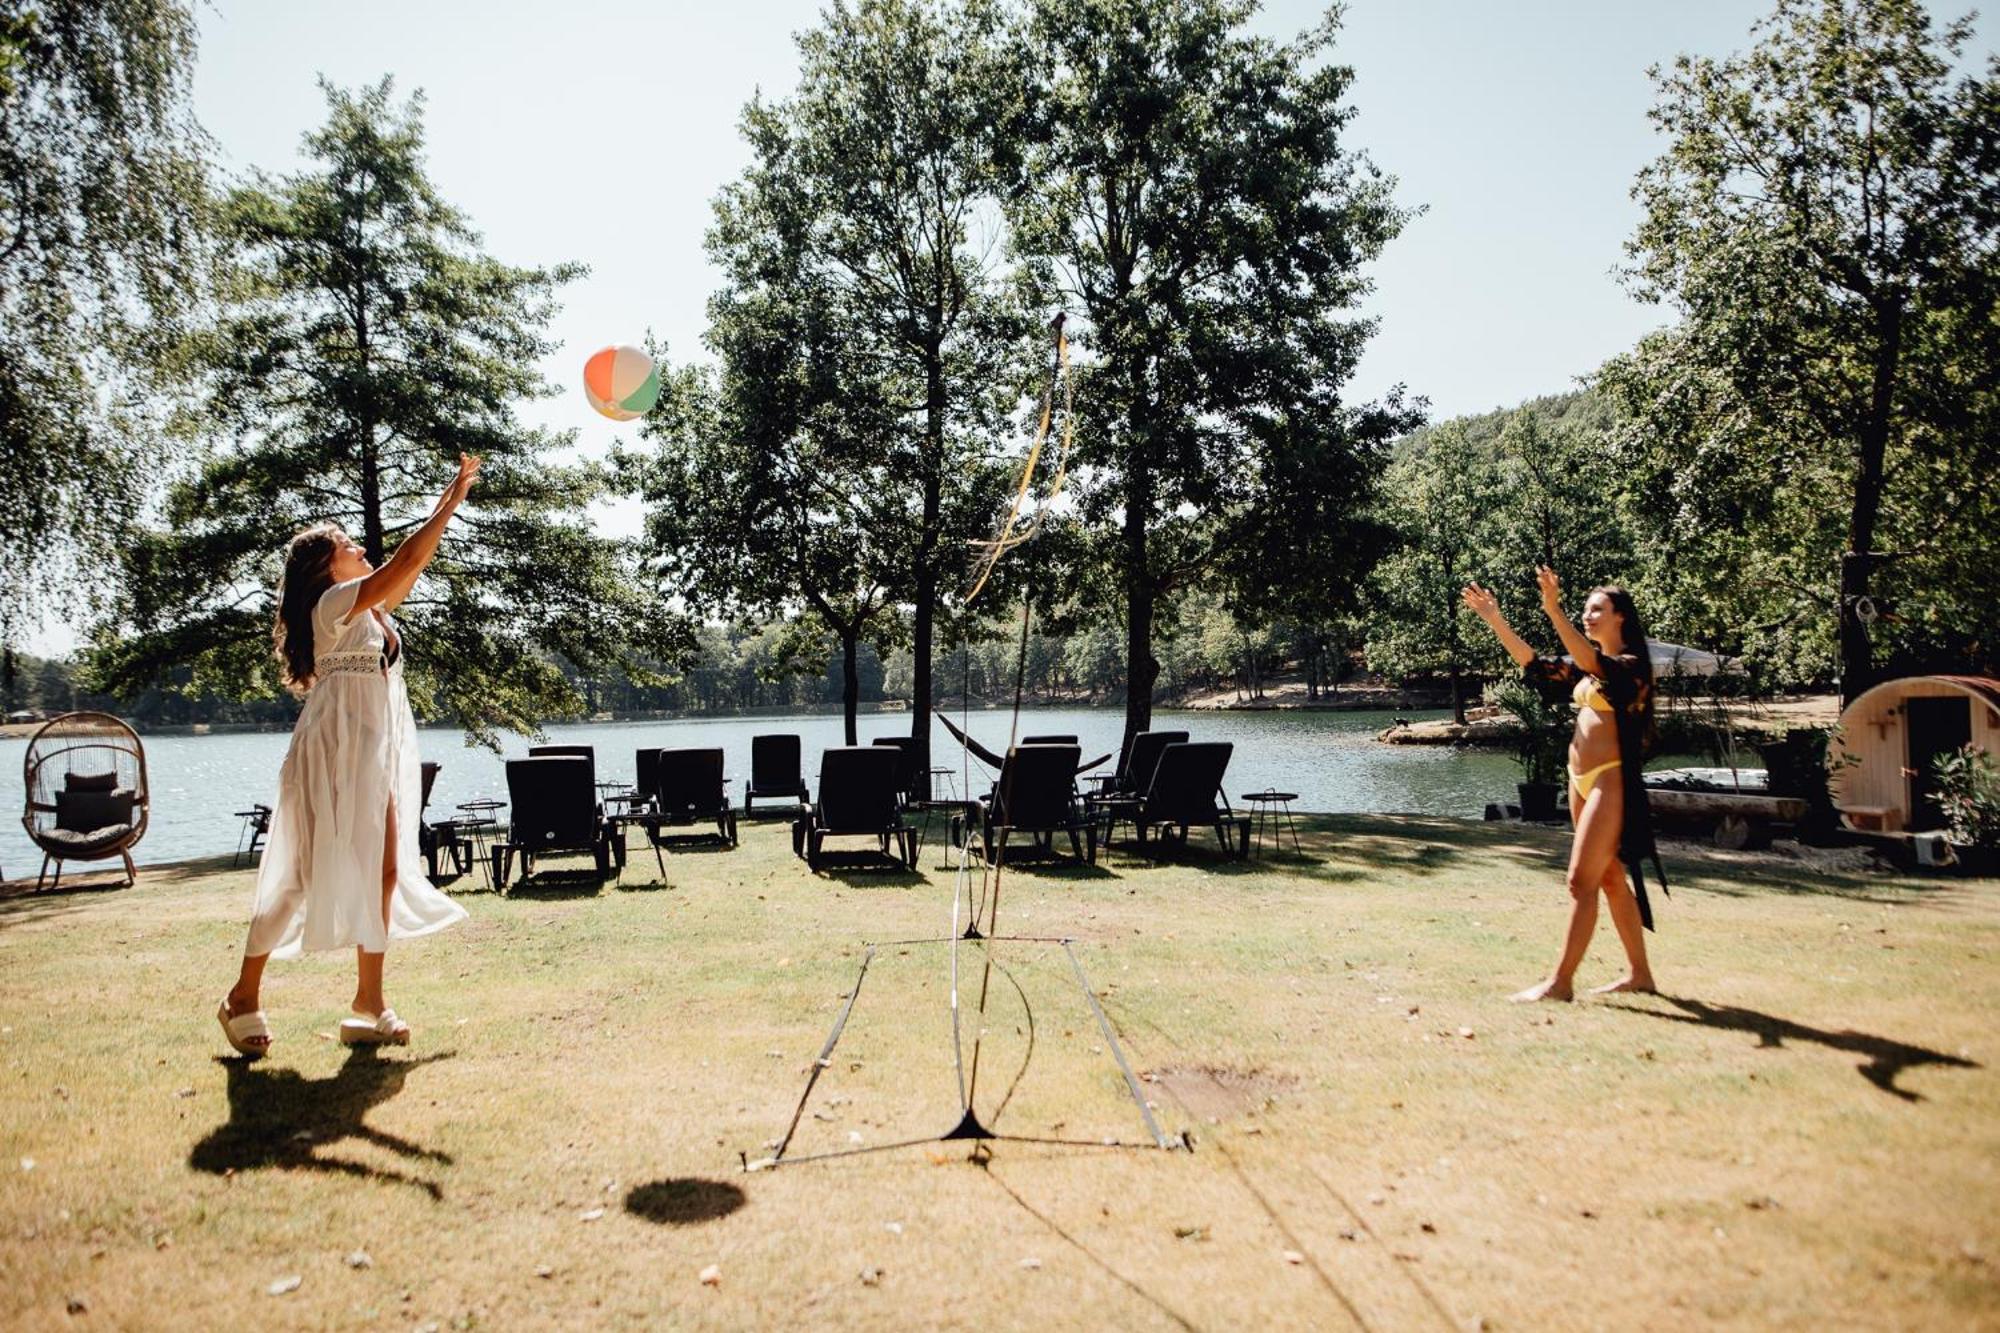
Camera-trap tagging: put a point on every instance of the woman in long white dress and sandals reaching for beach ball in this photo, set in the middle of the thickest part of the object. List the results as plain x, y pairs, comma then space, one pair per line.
341, 866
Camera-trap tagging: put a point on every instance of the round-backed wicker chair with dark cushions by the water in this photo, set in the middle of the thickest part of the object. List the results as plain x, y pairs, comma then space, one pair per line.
87, 792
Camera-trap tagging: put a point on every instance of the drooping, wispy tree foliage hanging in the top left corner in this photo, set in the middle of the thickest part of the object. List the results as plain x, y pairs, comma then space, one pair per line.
101, 255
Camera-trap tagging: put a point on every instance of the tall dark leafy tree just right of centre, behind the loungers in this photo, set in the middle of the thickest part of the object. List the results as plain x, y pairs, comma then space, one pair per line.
1187, 191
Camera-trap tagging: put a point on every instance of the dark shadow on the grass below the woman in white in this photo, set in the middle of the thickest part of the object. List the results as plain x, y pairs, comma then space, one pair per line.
279, 1118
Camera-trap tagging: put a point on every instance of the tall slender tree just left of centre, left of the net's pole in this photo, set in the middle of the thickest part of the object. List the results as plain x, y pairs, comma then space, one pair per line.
891, 143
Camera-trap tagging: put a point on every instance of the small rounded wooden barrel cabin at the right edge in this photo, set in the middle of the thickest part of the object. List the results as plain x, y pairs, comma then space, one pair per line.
1893, 734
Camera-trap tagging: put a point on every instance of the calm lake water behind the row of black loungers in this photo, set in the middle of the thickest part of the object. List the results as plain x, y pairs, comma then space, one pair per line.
1331, 760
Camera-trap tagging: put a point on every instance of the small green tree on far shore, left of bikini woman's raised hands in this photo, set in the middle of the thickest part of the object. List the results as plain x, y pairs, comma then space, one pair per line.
1439, 501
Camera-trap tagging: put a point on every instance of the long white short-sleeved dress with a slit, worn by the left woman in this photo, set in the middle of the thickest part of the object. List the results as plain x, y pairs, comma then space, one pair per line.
353, 756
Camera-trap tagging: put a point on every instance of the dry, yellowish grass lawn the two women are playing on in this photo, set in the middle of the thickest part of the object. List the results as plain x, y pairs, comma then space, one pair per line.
1805, 1132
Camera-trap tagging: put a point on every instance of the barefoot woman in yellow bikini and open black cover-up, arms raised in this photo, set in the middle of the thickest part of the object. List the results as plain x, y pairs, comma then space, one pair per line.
1609, 676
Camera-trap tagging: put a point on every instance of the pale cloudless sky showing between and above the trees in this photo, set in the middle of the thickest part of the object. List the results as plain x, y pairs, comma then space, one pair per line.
601, 133
